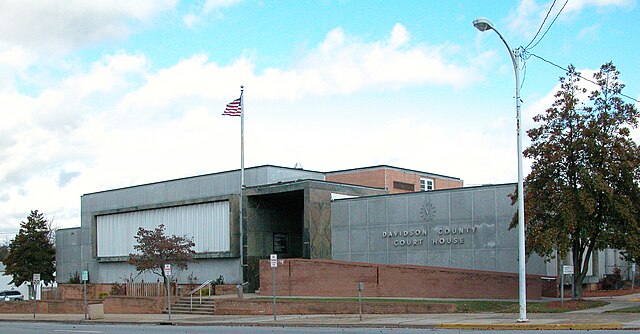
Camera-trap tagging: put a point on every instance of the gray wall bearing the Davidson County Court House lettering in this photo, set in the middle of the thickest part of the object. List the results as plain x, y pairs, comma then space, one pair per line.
458, 228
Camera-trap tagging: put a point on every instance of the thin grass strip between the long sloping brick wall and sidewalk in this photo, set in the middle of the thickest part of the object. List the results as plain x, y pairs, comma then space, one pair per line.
480, 306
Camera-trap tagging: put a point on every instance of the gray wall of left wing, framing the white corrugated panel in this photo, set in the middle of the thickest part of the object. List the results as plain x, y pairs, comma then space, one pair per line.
154, 195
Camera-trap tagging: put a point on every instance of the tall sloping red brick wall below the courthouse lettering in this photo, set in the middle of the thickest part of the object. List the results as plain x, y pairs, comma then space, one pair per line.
299, 277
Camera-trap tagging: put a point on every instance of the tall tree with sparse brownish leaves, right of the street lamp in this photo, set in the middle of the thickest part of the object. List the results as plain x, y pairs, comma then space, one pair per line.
582, 194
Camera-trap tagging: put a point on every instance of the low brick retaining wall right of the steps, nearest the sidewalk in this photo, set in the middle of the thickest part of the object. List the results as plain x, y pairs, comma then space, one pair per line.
262, 307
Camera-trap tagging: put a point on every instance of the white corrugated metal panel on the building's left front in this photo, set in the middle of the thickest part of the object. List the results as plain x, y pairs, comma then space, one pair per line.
207, 224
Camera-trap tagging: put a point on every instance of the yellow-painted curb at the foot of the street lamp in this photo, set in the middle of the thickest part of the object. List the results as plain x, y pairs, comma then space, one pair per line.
529, 326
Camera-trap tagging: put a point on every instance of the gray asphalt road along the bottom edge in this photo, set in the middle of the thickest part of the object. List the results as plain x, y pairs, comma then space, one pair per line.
60, 328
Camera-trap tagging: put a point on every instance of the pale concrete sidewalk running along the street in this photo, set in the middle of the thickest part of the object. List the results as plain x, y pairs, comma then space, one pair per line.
584, 319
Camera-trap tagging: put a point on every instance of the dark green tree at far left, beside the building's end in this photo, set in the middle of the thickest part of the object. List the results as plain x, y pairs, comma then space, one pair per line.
31, 251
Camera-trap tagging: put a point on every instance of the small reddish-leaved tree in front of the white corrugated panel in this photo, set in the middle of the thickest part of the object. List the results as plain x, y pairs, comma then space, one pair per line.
155, 249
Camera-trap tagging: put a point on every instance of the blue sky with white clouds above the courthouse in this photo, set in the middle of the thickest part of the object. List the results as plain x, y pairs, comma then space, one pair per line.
97, 95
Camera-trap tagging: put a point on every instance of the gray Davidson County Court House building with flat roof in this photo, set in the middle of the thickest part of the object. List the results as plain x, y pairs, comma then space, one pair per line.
379, 214
